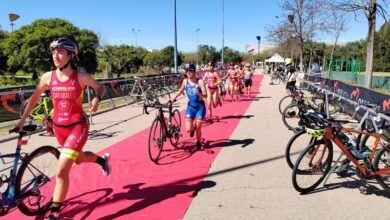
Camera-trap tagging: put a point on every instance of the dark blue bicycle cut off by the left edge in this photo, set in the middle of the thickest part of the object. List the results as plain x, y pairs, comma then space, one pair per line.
29, 185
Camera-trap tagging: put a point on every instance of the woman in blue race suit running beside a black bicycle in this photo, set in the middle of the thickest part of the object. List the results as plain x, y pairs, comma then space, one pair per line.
196, 108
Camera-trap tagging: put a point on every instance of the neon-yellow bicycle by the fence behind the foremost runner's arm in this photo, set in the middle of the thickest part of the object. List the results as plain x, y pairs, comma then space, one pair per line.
42, 113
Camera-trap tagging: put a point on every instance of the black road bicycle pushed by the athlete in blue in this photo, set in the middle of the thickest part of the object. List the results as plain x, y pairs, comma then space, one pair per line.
163, 128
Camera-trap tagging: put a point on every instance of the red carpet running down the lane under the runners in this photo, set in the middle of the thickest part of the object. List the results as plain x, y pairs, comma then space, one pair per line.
140, 189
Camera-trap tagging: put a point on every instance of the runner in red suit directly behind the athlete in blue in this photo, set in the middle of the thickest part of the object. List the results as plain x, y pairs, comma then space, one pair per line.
213, 97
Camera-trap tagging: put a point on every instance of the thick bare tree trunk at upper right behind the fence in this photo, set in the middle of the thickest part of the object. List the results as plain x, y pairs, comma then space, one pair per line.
370, 43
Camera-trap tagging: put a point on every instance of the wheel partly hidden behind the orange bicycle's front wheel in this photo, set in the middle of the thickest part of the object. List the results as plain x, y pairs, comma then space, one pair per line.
296, 145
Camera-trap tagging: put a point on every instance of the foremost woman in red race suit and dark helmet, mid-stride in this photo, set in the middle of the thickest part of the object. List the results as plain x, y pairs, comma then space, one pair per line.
66, 85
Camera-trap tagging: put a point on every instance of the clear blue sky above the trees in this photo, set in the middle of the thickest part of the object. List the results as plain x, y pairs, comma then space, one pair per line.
114, 21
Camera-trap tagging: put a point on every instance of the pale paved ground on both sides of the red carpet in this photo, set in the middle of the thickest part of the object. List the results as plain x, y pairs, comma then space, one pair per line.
249, 179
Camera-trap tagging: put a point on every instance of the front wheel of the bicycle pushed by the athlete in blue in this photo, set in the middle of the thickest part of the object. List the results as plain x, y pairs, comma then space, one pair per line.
156, 140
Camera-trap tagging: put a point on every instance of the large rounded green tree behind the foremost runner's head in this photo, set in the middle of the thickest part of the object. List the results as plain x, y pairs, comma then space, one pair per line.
28, 49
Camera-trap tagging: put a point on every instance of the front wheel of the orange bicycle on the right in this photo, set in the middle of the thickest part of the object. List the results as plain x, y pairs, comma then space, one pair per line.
312, 166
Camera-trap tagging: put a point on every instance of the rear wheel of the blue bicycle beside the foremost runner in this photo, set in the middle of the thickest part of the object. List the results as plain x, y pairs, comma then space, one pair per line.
35, 182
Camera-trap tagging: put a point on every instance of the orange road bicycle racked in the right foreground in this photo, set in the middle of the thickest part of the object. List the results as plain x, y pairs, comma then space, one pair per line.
315, 161
